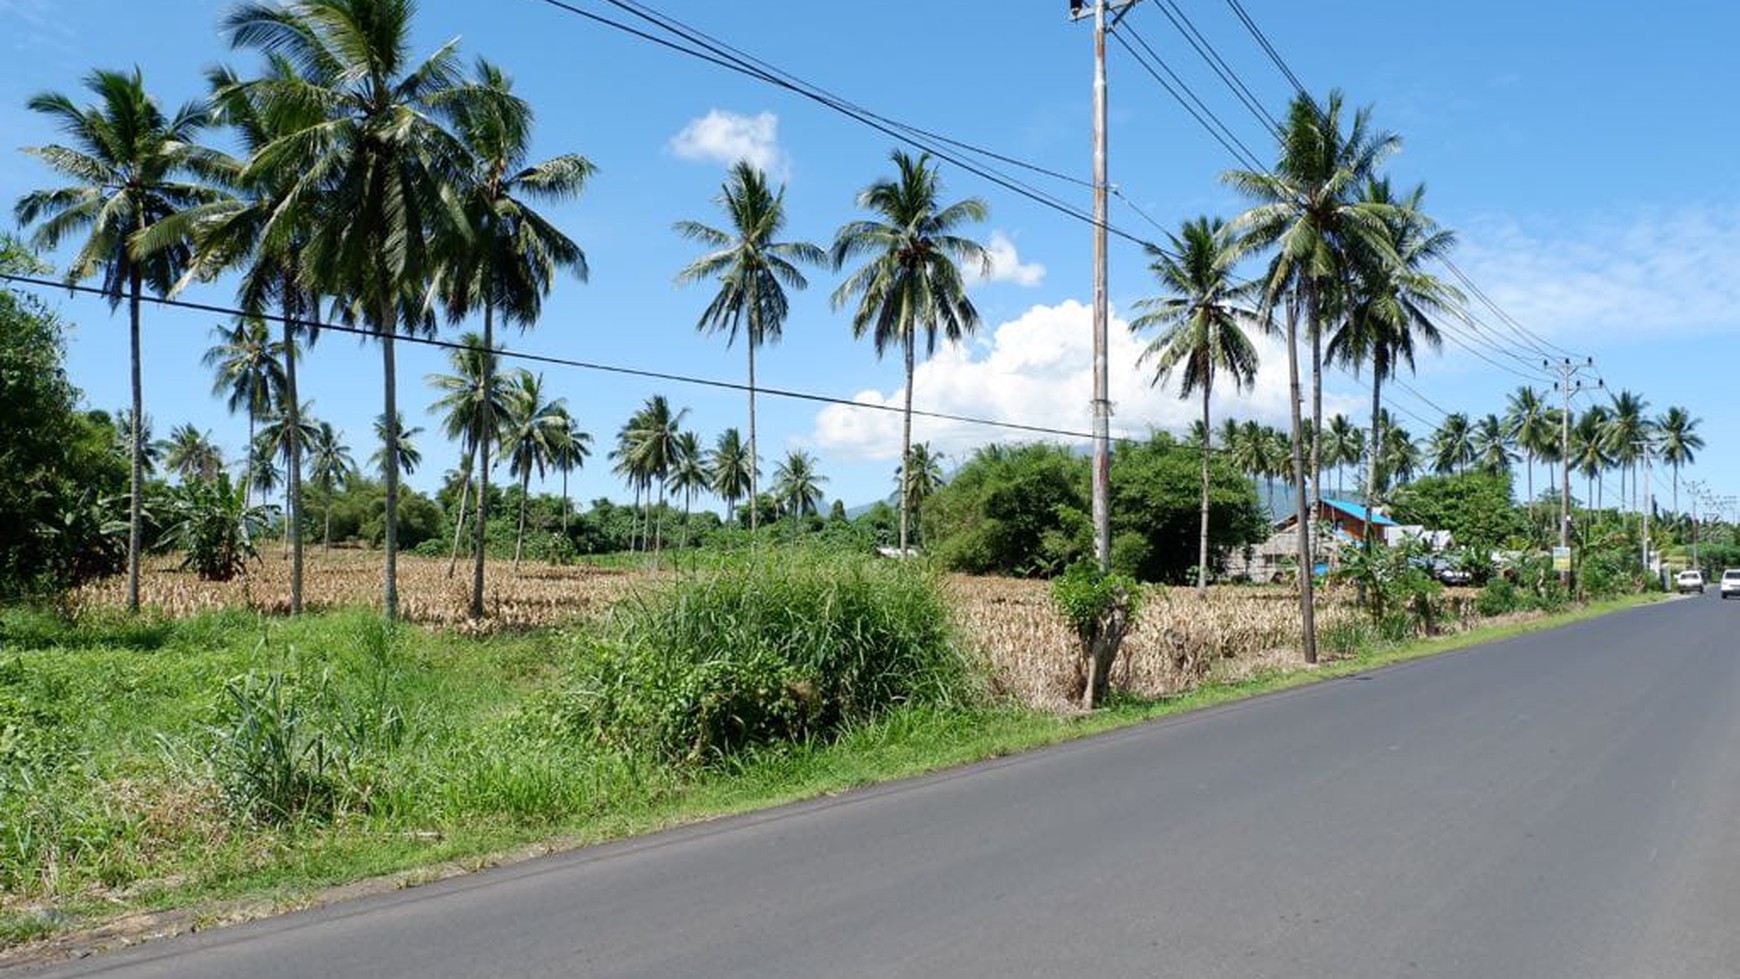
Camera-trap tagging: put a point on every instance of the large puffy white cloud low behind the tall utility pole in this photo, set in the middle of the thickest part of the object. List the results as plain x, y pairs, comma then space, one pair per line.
1038, 370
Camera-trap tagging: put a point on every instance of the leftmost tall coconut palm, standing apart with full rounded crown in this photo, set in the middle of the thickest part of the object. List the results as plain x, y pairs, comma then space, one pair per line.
126, 163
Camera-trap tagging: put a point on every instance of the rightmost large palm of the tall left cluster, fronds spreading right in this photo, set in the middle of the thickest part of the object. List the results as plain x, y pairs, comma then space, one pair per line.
512, 255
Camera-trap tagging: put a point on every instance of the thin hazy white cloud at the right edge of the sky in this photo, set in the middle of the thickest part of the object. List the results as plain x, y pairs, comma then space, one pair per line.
1659, 274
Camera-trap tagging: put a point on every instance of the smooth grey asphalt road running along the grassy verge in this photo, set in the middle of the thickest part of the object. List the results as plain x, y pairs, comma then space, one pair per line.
1565, 804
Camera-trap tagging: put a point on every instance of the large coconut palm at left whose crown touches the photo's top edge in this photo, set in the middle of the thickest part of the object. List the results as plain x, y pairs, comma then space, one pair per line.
371, 175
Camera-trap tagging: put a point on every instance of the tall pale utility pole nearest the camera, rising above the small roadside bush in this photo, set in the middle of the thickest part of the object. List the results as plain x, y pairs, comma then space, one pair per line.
1102, 316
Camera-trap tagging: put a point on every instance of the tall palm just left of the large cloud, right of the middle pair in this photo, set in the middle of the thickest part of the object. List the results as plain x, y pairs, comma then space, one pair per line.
911, 283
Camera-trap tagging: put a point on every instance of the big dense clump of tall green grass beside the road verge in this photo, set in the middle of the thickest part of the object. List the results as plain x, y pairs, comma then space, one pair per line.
768, 653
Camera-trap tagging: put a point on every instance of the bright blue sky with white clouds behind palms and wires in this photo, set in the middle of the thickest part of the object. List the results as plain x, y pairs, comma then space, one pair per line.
1584, 152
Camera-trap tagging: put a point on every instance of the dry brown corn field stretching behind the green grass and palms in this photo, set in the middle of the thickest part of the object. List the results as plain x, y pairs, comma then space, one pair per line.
1179, 643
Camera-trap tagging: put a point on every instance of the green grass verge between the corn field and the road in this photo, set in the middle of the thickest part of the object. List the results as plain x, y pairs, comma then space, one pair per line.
112, 803
